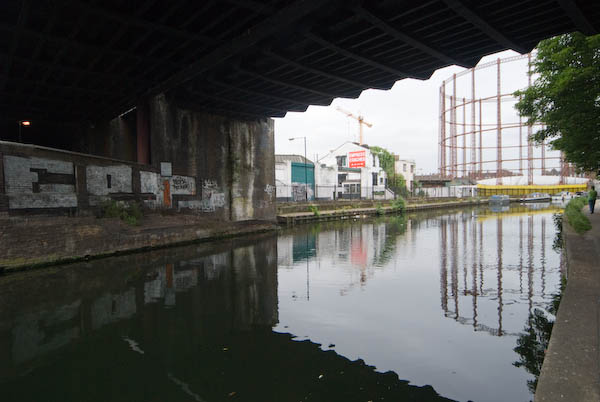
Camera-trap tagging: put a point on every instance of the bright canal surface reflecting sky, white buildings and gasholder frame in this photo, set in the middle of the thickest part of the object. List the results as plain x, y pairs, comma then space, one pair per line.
371, 283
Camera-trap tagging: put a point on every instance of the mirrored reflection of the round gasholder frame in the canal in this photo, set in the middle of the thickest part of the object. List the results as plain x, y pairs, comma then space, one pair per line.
488, 269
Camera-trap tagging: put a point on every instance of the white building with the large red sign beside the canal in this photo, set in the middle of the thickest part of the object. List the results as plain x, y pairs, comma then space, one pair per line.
359, 174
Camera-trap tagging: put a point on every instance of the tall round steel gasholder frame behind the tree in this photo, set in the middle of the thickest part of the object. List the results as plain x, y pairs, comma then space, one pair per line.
481, 135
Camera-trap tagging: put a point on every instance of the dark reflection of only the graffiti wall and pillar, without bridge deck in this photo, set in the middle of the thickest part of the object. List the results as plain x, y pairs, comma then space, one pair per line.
239, 285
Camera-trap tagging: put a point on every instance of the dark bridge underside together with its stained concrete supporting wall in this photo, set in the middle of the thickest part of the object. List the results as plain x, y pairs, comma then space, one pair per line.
195, 83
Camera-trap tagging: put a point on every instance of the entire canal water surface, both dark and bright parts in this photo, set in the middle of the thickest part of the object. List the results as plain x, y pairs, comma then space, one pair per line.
428, 307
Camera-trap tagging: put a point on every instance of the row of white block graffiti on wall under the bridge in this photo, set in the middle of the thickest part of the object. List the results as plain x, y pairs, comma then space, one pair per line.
38, 183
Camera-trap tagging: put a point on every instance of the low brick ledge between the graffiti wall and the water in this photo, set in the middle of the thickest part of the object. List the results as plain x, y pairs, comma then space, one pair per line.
48, 240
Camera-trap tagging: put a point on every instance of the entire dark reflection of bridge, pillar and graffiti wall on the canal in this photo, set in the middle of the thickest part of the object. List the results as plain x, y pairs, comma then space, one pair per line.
186, 324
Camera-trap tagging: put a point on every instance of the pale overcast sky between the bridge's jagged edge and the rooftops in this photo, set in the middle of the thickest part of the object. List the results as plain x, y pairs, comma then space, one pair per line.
405, 118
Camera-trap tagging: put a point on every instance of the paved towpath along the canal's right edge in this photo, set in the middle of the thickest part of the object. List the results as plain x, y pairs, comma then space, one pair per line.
571, 370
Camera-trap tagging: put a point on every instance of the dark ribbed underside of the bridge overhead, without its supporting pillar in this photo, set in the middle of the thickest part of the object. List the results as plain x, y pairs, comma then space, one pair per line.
79, 60
